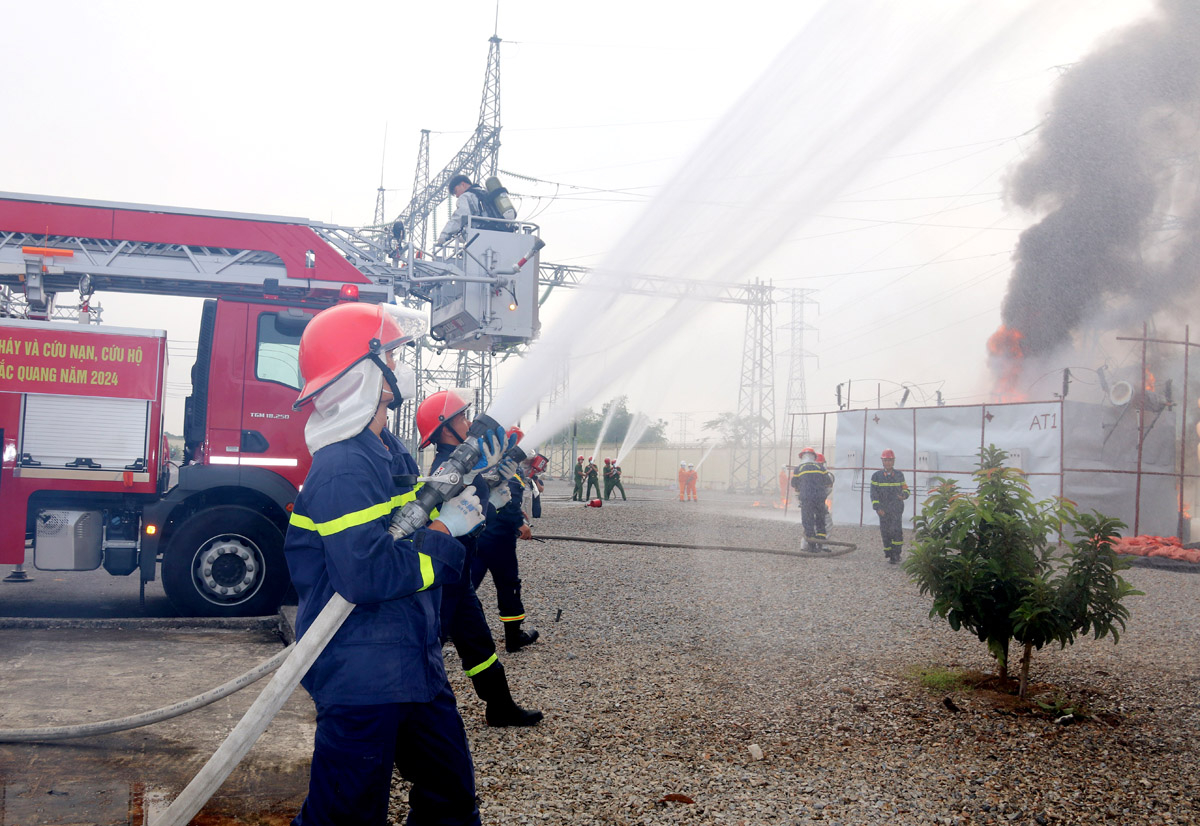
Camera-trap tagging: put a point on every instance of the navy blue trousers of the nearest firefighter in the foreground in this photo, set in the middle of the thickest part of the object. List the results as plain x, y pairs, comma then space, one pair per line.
356, 749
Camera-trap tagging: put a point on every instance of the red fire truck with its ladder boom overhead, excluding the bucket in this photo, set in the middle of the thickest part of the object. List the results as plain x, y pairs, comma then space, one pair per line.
86, 480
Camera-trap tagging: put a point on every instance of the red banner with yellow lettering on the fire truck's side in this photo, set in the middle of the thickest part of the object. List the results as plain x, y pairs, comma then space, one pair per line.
50, 358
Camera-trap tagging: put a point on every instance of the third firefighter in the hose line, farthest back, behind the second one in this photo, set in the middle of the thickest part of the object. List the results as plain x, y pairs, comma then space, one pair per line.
497, 553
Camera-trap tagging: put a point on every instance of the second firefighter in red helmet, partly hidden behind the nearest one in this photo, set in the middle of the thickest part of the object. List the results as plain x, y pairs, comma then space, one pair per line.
442, 421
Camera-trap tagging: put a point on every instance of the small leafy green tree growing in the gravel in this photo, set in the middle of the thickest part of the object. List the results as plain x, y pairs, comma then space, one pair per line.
988, 560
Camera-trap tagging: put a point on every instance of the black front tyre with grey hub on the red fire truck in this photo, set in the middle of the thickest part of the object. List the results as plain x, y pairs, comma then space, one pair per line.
226, 562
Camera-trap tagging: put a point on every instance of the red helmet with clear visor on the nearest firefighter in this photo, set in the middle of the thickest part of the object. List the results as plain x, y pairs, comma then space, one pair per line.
341, 337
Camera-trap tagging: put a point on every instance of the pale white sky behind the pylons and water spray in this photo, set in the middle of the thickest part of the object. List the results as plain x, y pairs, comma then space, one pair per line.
281, 109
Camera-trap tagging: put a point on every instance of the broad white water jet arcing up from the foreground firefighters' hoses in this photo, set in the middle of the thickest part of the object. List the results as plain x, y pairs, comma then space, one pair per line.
729, 208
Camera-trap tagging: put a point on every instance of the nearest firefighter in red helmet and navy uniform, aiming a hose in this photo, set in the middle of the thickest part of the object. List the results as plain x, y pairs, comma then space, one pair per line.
380, 685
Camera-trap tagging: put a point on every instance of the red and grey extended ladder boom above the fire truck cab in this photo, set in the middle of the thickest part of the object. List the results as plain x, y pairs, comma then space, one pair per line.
176, 253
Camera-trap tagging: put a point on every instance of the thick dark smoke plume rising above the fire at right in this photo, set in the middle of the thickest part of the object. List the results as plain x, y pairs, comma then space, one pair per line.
1114, 172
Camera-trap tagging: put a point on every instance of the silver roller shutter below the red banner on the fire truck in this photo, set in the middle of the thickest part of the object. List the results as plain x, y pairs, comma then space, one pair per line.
62, 432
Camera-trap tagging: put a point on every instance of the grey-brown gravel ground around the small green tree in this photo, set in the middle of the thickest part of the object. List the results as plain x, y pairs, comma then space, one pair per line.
706, 687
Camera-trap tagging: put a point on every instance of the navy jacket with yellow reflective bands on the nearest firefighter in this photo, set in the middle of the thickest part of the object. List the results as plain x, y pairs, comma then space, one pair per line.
388, 650
